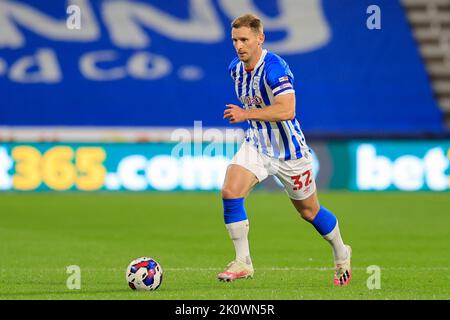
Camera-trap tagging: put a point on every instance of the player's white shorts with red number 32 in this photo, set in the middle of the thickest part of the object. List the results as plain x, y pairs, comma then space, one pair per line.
295, 175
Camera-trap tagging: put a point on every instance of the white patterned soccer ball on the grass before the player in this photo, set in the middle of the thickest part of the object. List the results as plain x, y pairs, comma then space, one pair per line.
144, 274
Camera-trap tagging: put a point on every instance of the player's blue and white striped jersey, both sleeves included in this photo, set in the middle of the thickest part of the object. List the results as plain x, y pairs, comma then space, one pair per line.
257, 89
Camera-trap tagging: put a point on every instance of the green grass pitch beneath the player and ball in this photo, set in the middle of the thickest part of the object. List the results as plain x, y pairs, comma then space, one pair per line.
406, 234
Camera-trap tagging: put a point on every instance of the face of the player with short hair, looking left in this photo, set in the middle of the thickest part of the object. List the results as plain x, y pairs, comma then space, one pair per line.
247, 43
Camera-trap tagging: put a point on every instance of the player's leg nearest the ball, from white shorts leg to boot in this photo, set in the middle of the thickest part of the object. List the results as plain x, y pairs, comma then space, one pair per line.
244, 172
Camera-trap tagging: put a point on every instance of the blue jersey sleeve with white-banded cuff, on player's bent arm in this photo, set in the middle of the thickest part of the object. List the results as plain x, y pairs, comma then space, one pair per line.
280, 78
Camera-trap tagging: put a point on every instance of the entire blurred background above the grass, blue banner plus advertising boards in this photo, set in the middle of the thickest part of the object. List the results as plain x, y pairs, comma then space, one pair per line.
117, 95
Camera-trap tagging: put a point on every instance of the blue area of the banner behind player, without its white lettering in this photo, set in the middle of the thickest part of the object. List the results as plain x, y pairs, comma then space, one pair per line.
356, 81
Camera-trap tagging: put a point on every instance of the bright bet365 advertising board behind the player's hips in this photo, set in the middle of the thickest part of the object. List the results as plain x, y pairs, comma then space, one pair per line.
356, 166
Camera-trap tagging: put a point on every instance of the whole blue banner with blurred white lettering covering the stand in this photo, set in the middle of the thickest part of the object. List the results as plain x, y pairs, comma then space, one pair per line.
164, 63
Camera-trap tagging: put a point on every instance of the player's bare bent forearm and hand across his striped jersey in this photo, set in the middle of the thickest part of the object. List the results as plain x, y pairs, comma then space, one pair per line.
282, 109
